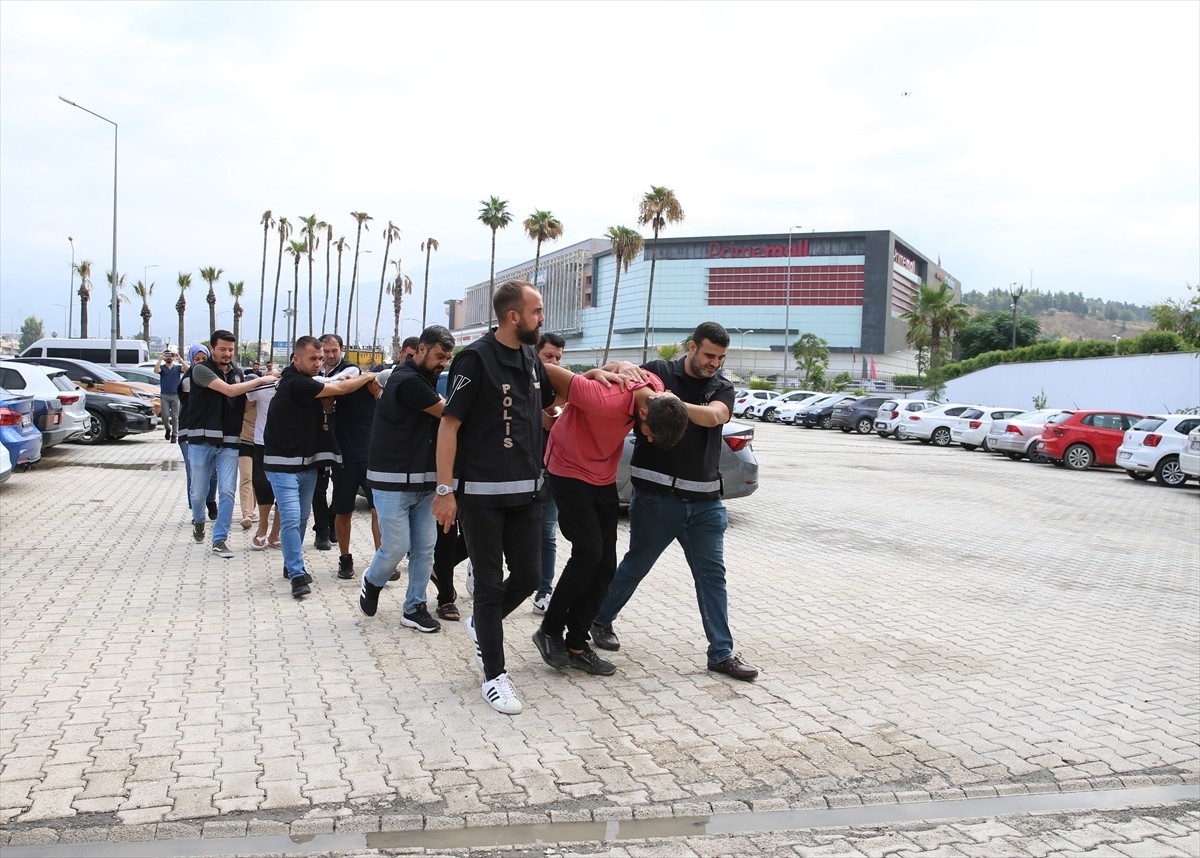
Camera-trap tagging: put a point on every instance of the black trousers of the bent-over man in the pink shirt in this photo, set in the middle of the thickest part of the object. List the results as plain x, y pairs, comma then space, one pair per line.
587, 517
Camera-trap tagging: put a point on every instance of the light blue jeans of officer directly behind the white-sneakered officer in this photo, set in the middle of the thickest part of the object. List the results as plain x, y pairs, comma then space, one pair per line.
406, 525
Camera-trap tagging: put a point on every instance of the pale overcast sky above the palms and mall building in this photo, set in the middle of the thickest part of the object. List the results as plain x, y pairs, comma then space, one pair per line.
1063, 139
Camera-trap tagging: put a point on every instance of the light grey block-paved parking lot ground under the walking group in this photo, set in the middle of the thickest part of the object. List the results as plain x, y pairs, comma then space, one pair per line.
931, 625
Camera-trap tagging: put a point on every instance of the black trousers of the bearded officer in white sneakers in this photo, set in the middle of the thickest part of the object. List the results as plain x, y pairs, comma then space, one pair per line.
497, 536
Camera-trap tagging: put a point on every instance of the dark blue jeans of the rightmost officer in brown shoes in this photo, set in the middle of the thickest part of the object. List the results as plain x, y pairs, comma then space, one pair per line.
655, 523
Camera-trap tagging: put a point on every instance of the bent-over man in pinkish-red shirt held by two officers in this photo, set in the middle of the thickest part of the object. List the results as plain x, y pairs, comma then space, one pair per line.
581, 459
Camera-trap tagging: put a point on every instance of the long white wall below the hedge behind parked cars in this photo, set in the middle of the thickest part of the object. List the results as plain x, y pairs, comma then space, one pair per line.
1139, 383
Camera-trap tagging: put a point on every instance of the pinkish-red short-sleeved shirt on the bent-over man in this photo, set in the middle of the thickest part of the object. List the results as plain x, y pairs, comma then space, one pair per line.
587, 440
